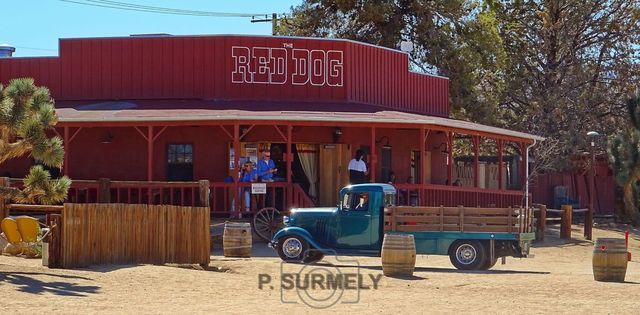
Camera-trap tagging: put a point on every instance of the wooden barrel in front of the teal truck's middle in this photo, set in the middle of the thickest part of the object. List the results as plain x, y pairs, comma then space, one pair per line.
398, 255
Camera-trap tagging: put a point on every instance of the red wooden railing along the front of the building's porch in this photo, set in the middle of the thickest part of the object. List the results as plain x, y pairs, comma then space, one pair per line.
280, 195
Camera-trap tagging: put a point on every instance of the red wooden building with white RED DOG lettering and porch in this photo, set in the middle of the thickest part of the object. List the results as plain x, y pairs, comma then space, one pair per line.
174, 108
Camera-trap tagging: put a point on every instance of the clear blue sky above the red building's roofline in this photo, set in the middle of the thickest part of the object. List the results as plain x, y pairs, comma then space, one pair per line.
34, 26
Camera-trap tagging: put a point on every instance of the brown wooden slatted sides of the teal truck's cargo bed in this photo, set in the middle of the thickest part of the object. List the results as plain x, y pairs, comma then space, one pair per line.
458, 219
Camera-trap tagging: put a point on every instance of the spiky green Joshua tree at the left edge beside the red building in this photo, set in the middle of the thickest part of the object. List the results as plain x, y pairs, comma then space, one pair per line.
27, 114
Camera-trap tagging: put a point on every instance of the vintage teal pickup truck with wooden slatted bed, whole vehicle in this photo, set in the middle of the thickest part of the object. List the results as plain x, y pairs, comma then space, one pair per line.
472, 237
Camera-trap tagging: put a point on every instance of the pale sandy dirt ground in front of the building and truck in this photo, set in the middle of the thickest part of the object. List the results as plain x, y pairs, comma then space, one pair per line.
558, 279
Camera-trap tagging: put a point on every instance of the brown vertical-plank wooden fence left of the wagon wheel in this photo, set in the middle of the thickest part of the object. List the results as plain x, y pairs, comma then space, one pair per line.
133, 233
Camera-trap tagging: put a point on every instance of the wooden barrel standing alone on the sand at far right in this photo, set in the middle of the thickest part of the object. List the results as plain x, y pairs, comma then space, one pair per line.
609, 259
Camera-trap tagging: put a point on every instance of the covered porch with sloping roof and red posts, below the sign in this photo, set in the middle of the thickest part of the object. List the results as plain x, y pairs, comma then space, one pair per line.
150, 154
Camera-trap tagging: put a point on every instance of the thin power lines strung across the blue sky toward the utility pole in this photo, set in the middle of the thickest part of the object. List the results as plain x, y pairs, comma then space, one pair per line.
160, 10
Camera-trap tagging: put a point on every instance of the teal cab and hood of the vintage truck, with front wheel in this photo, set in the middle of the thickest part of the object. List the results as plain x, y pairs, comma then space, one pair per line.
354, 226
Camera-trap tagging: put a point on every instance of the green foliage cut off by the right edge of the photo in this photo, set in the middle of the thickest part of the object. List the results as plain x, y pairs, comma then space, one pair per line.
624, 153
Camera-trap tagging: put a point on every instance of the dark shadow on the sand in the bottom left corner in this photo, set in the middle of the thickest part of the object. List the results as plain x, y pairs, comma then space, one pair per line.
25, 282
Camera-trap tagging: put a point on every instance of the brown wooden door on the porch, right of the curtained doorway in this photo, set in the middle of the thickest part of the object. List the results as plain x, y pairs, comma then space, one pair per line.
334, 159
